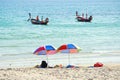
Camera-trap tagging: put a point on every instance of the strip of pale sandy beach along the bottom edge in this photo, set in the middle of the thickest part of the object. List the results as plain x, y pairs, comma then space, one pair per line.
107, 72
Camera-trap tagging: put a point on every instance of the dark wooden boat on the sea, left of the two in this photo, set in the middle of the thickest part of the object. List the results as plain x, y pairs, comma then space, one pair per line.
37, 21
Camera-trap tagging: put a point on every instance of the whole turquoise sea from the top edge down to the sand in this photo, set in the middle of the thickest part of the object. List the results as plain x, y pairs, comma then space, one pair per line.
98, 40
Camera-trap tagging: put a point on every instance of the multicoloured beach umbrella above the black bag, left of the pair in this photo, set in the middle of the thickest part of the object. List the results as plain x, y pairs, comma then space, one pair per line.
45, 50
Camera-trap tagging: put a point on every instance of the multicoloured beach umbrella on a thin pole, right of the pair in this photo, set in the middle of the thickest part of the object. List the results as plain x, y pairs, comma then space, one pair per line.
69, 49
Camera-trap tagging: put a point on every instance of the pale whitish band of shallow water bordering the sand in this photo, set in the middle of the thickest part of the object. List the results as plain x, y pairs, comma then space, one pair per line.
75, 59
